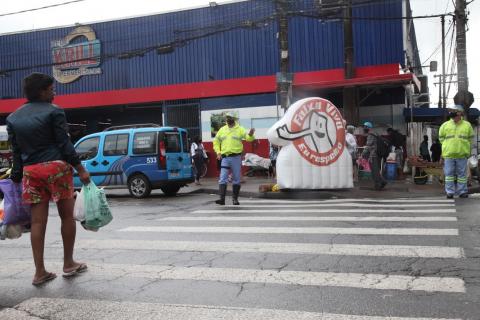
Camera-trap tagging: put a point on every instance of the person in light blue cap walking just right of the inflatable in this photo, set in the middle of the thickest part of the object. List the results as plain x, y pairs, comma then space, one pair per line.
370, 153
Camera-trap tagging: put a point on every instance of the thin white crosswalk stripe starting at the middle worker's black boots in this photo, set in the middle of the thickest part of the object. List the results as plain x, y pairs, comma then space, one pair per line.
358, 205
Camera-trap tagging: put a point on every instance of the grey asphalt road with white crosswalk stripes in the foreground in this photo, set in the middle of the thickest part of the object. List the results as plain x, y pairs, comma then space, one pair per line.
186, 258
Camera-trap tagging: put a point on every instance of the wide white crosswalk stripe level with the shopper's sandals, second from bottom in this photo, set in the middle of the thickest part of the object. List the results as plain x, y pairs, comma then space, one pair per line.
265, 276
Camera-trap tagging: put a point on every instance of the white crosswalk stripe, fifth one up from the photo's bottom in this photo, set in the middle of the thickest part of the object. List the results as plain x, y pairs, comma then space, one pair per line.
336, 218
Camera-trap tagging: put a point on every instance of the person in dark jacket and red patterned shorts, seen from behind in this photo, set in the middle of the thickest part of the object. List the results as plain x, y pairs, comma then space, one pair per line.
44, 155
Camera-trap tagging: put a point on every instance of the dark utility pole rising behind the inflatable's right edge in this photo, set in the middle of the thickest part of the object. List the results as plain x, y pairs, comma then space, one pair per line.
350, 108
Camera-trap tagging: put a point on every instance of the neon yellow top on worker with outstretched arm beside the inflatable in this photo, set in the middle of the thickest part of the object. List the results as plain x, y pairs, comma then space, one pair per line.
229, 140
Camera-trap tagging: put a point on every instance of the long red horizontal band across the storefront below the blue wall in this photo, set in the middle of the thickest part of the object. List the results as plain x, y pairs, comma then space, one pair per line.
374, 75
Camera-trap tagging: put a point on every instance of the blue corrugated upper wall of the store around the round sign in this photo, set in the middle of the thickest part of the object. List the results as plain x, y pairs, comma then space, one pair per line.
238, 53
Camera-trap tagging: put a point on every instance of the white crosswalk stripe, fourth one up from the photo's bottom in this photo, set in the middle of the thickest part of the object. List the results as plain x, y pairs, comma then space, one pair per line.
294, 230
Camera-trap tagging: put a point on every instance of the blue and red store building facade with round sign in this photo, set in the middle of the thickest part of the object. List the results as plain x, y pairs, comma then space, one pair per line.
186, 68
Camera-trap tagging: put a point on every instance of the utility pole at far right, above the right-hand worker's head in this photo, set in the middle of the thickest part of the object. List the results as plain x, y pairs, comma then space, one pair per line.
463, 97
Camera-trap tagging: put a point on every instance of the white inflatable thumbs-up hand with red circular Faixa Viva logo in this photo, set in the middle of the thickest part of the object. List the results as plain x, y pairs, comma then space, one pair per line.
313, 154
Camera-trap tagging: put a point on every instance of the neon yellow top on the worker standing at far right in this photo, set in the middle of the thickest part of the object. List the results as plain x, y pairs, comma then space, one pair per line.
456, 139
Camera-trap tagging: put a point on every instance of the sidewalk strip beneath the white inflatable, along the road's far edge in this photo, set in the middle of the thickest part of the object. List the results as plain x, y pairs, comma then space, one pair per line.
362, 189
